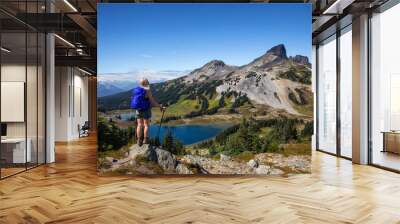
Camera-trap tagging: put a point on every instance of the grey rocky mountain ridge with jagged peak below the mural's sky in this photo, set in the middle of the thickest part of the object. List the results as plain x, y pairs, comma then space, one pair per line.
273, 80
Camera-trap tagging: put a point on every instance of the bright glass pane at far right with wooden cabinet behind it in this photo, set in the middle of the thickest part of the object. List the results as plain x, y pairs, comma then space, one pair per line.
385, 89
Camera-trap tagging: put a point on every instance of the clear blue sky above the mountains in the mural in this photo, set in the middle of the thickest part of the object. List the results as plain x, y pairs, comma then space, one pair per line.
186, 36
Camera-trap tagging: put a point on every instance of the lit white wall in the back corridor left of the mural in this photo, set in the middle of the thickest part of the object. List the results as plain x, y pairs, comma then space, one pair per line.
71, 103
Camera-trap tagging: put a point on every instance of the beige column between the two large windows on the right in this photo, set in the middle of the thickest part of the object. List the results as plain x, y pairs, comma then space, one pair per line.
360, 89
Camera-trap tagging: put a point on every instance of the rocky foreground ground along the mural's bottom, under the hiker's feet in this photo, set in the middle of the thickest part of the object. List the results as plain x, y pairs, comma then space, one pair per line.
152, 160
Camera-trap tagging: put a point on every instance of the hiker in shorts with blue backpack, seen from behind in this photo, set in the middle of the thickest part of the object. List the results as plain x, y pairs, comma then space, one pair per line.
142, 101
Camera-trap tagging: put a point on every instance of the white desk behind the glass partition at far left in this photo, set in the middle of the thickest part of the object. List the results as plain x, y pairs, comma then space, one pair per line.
13, 150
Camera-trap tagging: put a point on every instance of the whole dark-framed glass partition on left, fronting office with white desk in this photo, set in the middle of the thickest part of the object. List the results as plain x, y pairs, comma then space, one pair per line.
22, 88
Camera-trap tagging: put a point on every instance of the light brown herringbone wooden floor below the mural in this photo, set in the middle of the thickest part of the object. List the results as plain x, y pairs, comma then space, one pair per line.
70, 191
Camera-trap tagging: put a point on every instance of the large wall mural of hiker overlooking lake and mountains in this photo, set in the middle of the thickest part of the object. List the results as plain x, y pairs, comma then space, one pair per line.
204, 89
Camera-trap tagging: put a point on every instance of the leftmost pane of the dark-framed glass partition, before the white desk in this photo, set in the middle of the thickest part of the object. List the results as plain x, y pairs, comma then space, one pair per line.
14, 153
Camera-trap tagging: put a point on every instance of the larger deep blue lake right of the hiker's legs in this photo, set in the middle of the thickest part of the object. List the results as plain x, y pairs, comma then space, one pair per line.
191, 133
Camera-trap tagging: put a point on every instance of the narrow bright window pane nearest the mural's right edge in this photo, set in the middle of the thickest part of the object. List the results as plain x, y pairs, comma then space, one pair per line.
327, 95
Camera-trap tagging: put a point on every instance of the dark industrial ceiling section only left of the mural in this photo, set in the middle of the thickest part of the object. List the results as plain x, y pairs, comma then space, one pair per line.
73, 21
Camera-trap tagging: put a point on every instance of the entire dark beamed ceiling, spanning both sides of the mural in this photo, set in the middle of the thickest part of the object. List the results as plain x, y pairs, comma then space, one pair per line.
75, 21
